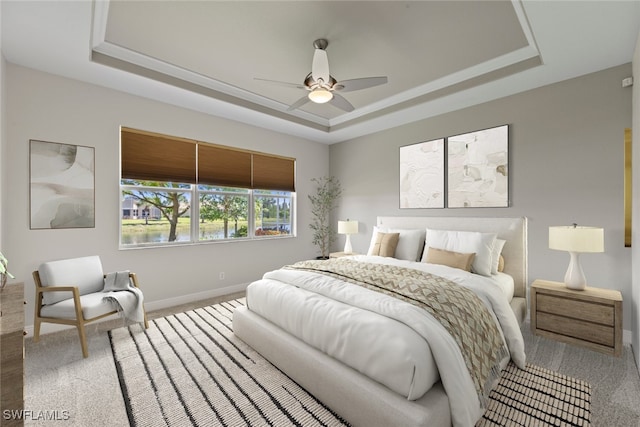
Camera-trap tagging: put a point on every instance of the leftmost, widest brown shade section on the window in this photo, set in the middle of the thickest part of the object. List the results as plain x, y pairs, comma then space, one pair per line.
152, 157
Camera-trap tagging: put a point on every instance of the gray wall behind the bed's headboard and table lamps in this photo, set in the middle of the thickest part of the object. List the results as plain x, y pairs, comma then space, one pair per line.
566, 165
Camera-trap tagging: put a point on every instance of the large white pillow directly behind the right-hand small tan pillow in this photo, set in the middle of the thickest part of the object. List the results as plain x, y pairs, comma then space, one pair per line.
464, 241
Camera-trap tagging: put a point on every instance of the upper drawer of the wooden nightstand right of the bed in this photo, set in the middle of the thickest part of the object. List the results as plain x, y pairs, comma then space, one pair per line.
597, 313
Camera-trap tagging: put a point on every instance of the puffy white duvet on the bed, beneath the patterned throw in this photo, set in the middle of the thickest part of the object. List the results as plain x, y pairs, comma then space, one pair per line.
390, 341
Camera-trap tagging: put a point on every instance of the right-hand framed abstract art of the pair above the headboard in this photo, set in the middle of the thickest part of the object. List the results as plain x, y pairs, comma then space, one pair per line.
477, 168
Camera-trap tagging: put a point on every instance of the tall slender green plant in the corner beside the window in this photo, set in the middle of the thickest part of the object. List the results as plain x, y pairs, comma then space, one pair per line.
323, 201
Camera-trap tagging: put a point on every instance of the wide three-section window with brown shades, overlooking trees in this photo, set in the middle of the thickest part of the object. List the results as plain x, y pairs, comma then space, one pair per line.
175, 190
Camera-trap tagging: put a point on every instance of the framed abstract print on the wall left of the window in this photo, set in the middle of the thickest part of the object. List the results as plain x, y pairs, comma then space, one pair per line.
62, 183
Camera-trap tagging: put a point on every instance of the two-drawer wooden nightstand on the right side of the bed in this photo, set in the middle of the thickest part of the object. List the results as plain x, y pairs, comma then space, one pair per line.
591, 318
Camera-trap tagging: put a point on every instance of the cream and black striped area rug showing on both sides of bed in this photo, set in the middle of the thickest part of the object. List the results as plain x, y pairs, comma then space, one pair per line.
189, 369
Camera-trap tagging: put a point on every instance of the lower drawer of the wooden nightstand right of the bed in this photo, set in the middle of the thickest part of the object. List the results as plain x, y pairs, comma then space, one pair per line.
578, 329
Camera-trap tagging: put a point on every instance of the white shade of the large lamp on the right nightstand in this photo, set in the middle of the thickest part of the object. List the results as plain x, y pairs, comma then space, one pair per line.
576, 239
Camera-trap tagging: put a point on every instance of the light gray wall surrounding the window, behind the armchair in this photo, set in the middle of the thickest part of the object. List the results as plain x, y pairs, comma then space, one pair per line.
50, 108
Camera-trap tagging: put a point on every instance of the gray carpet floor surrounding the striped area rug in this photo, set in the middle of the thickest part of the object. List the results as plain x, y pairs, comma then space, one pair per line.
58, 378
